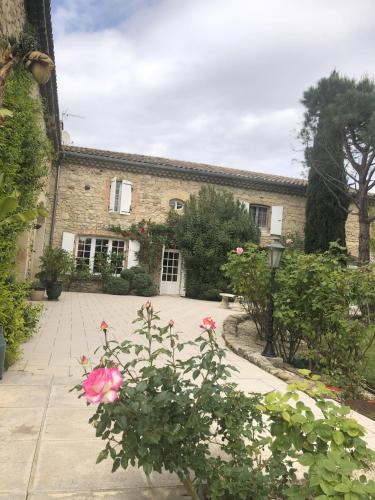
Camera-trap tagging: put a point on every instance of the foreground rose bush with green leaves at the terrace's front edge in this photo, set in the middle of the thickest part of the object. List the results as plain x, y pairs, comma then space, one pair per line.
171, 409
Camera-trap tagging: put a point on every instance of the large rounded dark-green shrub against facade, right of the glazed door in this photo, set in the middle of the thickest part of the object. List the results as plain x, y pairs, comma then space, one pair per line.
213, 223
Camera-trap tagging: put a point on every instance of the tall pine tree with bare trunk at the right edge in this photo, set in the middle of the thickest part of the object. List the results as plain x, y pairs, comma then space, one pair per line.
346, 107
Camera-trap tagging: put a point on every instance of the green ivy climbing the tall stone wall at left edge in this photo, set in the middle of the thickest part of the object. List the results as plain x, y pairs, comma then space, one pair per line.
24, 153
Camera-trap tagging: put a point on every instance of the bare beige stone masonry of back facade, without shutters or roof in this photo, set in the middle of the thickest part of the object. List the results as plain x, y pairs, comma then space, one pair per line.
83, 200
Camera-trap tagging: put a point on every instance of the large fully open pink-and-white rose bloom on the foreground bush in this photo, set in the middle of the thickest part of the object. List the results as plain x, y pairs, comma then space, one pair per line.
102, 384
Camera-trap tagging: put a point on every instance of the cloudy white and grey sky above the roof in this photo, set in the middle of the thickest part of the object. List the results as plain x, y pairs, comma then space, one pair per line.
215, 81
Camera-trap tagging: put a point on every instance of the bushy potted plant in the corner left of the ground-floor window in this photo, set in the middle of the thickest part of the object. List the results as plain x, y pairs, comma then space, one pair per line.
56, 264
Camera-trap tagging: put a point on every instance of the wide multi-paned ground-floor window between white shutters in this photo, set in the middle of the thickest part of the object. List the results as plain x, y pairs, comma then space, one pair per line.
93, 252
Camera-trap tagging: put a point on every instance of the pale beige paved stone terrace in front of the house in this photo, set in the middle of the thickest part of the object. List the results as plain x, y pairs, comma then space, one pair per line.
48, 450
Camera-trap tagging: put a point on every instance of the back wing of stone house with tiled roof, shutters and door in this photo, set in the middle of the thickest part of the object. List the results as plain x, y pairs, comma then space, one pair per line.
98, 189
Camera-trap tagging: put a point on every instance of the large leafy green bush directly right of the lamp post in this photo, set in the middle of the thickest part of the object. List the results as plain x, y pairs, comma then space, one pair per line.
331, 308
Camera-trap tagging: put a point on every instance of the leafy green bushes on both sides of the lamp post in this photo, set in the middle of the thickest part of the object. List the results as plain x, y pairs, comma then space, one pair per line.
322, 307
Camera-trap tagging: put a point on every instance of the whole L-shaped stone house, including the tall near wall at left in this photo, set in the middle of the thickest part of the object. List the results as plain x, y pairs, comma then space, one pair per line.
89, 190
